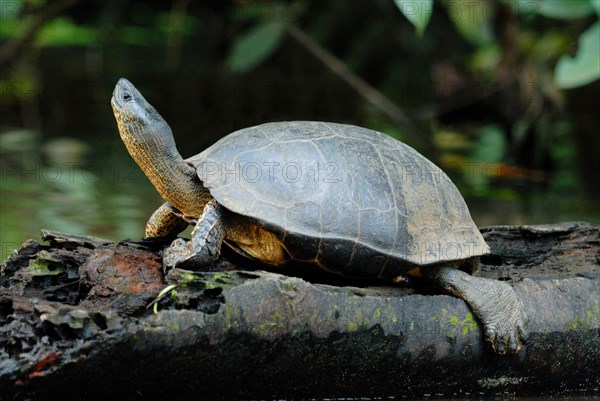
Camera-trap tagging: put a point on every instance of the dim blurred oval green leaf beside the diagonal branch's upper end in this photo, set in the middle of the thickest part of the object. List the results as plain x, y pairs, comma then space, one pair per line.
255, 46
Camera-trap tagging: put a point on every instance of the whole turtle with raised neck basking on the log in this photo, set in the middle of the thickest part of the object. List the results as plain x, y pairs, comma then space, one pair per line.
350, 200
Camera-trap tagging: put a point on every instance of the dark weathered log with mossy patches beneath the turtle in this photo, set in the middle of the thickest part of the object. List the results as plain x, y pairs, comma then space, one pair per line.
88, 318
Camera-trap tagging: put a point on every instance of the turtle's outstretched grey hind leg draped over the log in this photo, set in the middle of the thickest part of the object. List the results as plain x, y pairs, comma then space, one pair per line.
494, 302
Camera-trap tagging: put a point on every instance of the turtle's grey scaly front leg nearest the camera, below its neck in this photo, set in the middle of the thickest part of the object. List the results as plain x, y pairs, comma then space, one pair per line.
205, 244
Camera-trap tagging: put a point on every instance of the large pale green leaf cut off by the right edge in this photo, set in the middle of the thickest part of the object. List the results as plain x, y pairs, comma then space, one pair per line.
584, 68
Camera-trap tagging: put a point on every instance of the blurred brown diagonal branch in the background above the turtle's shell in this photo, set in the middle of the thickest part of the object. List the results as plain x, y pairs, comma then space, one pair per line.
374, 96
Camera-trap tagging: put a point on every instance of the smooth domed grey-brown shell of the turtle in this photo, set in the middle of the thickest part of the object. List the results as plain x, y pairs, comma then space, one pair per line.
351, 199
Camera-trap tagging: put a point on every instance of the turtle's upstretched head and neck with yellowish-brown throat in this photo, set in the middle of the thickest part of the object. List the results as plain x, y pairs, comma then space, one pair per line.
150, 142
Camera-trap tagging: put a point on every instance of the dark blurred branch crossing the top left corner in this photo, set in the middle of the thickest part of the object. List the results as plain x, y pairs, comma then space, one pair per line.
11, 50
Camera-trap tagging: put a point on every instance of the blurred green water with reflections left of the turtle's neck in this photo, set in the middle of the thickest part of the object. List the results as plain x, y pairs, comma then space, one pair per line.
66, 185
